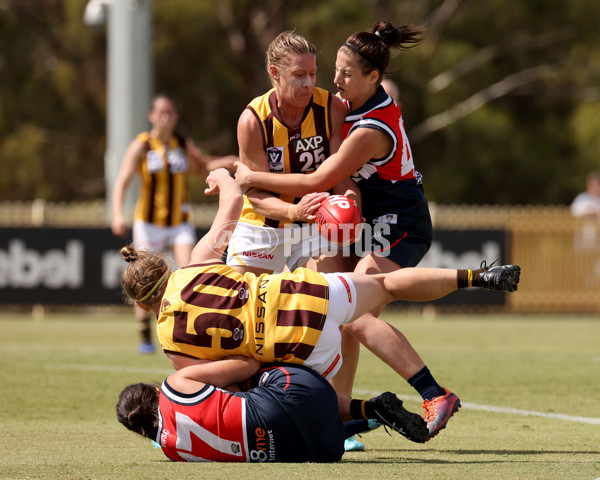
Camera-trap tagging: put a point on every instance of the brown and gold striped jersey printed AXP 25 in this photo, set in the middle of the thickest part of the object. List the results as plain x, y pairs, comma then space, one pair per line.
298, 150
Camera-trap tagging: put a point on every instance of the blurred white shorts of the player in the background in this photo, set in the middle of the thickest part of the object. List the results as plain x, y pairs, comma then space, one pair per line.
152, 238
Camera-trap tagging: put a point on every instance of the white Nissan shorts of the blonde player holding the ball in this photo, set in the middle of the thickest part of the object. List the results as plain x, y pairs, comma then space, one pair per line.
275, 248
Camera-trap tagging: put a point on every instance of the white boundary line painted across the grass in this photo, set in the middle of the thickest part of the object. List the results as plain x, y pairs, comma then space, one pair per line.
466, 405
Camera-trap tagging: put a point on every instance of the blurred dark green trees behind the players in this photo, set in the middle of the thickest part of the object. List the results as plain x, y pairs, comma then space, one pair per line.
500, 100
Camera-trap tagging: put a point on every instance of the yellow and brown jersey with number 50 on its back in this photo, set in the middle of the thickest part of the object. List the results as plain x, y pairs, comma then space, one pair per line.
212, 311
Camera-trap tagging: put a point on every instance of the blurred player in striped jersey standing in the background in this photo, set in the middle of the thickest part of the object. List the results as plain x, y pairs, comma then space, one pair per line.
162, 158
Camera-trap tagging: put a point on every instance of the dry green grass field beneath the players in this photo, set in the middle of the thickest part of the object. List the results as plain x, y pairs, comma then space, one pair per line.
530, 388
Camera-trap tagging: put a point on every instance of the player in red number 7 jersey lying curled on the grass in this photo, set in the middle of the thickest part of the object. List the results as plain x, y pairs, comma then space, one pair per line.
288, 414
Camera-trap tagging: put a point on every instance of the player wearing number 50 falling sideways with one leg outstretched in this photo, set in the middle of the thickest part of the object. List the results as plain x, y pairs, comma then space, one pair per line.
208, 311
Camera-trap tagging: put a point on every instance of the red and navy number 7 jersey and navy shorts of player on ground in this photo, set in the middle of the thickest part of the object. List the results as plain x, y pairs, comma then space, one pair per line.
289, 415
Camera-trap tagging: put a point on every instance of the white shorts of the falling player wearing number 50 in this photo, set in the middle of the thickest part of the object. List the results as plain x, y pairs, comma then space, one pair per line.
326, 357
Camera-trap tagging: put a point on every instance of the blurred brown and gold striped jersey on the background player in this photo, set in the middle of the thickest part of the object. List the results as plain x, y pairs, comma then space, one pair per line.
163, 198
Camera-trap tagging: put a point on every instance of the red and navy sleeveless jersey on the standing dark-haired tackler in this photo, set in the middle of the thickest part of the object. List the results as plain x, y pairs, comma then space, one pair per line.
382, 113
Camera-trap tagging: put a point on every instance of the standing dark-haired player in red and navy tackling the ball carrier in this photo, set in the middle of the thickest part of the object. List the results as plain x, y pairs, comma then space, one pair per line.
375, 151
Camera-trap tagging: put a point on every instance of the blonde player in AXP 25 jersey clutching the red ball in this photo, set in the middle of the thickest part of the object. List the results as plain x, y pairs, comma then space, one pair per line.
292, 128
